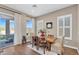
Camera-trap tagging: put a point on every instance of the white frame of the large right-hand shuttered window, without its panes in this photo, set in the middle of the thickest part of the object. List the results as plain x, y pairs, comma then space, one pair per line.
63, 18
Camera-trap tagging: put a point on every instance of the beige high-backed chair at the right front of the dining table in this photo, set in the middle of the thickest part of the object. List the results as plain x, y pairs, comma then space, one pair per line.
58, 46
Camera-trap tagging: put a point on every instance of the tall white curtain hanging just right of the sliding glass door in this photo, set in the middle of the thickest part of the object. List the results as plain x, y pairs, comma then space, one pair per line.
17, 35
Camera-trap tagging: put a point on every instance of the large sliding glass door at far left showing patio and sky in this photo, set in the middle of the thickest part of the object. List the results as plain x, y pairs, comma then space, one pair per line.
6, 32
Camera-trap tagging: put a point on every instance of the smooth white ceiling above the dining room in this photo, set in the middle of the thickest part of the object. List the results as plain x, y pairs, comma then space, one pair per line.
39, 10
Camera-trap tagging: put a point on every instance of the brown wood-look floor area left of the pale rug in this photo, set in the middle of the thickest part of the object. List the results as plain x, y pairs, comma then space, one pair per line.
19, 50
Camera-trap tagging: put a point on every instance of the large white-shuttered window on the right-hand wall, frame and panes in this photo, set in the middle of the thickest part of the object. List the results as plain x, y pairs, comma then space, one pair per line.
64, 26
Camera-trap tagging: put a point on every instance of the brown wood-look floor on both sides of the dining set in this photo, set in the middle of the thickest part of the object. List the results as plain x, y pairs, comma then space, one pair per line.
24, 50
